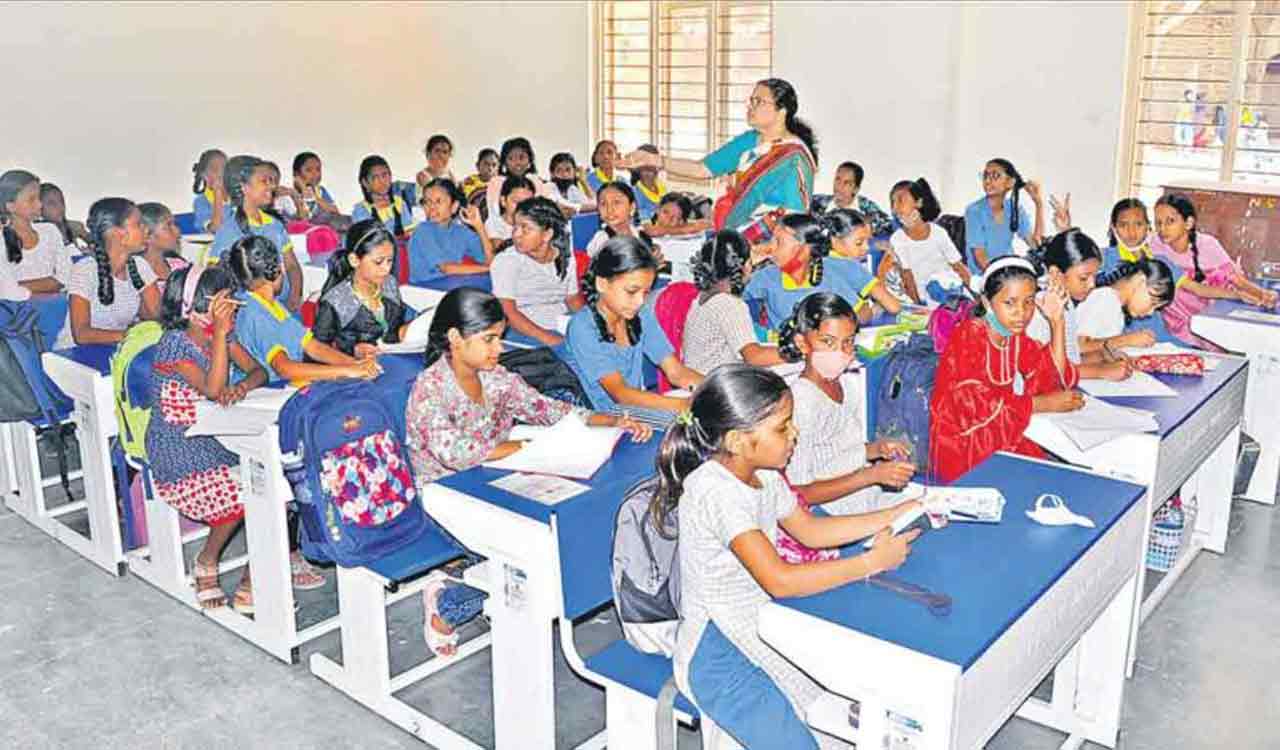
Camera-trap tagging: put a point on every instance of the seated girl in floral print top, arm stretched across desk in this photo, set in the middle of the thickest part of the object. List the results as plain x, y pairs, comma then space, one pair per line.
460, 414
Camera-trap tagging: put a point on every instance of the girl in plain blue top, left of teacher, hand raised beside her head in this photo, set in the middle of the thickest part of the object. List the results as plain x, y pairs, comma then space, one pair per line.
452, 241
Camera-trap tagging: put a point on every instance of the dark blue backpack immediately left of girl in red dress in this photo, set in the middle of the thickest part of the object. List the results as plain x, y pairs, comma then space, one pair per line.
903, 401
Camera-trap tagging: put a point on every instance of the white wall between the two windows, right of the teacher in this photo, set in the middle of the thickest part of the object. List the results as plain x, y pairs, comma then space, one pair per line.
935, 90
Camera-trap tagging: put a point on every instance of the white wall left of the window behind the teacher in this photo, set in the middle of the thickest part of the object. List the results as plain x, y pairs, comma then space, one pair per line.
120, 99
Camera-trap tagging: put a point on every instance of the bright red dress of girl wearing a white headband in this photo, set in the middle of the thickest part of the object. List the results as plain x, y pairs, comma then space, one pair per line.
975, 410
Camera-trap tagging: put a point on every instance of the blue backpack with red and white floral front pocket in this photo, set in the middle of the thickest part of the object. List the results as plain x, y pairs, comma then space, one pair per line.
353, 482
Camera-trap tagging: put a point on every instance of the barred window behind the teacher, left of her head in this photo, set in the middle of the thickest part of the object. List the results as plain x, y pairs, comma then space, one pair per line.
678, 74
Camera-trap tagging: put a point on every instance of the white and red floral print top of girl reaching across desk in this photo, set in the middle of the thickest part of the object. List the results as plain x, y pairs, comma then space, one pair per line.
447, 432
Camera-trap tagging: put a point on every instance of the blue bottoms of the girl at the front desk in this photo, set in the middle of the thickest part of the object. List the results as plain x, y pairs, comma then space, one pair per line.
742, 699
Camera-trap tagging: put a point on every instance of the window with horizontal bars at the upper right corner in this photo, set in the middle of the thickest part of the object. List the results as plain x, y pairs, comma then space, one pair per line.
1208, 92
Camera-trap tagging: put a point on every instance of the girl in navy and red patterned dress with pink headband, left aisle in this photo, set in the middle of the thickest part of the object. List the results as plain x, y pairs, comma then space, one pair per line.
194, 362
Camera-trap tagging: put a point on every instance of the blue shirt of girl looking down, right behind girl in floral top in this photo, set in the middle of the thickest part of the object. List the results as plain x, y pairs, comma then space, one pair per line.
592, 359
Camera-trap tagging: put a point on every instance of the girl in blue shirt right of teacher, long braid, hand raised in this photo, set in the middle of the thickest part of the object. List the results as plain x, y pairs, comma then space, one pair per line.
993, 221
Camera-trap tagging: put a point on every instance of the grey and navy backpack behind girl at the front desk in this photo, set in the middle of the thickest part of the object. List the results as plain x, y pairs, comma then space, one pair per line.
646, 573
